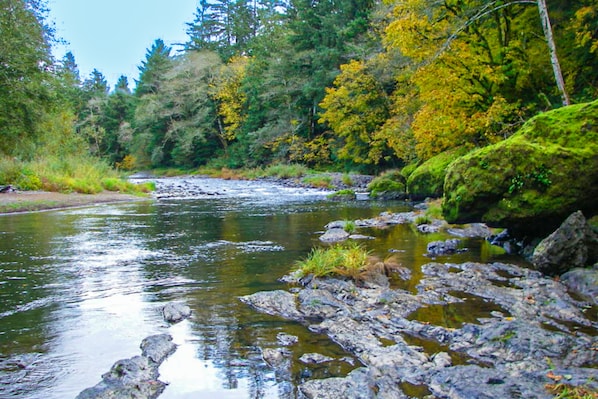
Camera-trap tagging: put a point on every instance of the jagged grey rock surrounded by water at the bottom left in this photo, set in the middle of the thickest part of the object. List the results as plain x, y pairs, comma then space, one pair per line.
137, 377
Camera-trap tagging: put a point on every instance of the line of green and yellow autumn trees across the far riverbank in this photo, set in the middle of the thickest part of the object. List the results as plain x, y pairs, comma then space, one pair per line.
339, 84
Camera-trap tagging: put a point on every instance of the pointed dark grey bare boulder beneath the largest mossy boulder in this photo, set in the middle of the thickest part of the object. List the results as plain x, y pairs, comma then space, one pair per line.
572, 245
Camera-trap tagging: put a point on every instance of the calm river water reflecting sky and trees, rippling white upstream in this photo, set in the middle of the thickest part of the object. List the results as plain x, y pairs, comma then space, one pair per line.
80, 288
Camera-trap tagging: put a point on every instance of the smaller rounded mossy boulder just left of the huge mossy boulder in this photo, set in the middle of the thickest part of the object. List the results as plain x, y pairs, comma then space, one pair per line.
427, 180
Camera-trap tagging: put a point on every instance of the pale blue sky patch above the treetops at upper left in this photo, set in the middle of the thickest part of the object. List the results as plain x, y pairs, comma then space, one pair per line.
113, 35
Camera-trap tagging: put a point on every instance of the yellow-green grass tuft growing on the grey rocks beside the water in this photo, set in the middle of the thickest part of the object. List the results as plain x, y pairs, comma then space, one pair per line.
349, 260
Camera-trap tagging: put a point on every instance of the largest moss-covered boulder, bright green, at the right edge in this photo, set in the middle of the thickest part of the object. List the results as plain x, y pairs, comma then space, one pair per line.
532, 181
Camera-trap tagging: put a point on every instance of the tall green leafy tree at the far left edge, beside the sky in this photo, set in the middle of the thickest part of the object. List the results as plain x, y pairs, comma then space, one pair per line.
25, 83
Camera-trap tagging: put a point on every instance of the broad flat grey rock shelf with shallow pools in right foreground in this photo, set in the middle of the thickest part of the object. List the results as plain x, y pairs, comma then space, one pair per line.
469, 330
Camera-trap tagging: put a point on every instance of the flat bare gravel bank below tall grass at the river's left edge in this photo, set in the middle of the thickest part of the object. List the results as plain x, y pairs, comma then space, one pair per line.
31, 201
